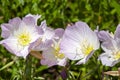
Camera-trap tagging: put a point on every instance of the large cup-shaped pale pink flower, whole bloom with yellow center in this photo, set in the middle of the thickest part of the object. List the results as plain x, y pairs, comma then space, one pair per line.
79, 42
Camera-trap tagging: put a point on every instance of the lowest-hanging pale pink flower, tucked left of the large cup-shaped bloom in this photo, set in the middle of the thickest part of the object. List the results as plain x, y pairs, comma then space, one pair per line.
52, 55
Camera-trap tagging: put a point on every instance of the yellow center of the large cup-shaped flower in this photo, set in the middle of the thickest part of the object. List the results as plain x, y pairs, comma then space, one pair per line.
86, 48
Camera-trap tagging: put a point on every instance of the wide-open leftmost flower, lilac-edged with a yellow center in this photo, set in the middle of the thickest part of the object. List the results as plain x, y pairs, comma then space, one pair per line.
19, 34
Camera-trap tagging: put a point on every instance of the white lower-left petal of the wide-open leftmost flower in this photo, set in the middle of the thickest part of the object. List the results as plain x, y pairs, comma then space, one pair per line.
11, 45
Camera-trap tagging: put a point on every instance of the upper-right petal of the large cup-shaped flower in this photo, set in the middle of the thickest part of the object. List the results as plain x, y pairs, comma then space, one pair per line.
86, 33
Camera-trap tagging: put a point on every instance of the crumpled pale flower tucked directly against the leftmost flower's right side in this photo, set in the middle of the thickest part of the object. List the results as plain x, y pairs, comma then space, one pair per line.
45, 41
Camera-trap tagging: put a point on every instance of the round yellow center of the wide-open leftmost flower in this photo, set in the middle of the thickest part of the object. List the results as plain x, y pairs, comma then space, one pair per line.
24, 39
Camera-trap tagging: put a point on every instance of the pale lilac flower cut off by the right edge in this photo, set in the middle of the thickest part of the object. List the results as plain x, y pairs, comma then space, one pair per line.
111, 46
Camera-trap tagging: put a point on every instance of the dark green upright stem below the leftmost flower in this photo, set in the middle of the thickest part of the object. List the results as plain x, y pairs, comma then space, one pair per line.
28, 66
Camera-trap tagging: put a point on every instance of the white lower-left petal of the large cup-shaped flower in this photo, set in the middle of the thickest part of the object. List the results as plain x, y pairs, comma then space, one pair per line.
69, 47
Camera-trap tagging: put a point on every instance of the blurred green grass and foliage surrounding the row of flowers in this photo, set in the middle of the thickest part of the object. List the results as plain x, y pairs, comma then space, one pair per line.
58, 14
